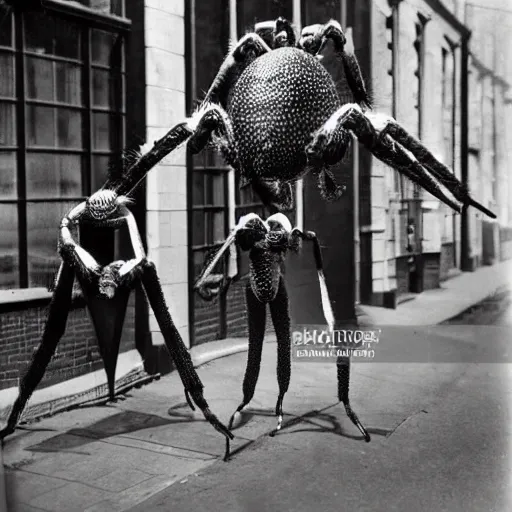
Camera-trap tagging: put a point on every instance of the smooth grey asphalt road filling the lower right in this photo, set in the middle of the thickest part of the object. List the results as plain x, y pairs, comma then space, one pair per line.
440, 436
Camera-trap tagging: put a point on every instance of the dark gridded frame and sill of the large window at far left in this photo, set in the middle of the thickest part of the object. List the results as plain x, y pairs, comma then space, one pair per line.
88, 20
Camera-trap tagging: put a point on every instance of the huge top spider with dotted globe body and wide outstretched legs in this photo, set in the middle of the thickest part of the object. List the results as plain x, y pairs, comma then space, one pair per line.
274, 113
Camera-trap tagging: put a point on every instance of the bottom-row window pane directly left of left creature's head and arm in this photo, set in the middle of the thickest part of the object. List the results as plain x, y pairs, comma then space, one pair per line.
43, 221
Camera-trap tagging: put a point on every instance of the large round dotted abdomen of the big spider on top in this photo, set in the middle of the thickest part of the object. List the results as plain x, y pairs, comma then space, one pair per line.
277, 103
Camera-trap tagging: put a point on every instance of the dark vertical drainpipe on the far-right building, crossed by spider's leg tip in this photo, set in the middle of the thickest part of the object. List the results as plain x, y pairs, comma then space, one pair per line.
465, 260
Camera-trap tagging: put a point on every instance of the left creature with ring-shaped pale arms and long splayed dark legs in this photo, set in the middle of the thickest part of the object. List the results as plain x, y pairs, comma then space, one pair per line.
106, 291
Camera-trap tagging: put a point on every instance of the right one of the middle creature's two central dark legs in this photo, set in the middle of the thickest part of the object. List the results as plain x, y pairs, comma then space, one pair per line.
281, 319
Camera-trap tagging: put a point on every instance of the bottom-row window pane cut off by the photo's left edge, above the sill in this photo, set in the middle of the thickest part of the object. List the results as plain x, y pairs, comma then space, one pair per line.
9, 257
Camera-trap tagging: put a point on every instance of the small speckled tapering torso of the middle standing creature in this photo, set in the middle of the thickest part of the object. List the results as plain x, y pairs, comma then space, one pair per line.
264, 274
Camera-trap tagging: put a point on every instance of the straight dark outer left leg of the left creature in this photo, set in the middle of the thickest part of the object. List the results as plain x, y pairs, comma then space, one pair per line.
53, 332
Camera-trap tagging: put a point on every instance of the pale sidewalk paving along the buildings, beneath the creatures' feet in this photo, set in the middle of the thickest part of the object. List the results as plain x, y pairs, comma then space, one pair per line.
115, 457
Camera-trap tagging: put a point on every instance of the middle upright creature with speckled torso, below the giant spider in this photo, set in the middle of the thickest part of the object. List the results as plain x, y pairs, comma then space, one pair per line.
268, 242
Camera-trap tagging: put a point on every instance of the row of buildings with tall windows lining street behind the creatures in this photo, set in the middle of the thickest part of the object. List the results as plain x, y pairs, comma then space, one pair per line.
79, 81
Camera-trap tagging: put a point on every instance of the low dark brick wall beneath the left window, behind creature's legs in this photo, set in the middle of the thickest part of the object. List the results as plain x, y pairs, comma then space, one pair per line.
76, 354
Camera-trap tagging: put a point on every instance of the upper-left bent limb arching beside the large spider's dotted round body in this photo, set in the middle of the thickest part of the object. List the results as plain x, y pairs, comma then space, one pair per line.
248, 48
